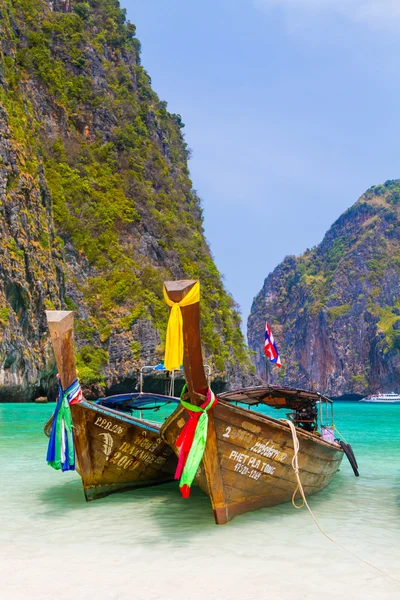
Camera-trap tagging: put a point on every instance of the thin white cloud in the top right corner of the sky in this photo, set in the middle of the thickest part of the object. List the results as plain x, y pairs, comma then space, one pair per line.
374, 13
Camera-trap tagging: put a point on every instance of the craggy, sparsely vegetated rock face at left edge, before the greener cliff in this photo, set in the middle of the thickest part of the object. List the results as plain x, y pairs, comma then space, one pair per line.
31, 271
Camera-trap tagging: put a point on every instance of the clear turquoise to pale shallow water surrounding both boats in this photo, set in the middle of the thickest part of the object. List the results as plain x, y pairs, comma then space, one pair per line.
152, 544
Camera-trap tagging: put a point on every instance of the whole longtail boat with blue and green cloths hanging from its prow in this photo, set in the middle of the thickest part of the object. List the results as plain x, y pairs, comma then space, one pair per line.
114, 450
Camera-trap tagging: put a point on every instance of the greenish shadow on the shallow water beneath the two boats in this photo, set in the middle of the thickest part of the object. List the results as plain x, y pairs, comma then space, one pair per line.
159, 515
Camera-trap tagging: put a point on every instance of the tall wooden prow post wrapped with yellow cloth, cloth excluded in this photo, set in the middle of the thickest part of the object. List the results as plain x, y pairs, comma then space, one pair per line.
192, 356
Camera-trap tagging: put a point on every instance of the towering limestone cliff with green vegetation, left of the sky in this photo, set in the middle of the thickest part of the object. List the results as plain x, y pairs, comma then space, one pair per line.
96, 203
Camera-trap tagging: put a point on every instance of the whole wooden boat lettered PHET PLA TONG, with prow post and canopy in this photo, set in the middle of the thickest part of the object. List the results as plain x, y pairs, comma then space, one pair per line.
247, 462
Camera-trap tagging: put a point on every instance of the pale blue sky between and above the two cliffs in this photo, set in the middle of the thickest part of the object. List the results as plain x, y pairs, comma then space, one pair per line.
292, 110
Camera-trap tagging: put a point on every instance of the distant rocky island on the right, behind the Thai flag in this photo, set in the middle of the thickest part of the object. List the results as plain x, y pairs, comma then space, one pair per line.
335, 310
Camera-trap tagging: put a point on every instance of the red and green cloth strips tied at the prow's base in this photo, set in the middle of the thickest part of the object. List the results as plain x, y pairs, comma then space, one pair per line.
192, 441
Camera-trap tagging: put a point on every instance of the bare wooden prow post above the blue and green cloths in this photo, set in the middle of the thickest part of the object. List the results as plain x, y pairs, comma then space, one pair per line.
61, 326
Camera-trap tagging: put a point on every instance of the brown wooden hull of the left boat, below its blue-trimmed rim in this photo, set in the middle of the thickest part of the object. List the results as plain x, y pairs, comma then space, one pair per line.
116, 452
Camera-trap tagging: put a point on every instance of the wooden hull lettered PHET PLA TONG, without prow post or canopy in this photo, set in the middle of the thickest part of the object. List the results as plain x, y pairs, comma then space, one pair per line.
248, 460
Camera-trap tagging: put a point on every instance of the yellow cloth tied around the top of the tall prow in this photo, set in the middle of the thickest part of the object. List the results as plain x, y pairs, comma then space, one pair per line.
174, 340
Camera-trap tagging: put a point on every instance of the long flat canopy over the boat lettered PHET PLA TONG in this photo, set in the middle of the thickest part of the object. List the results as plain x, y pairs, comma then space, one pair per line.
278, 397
